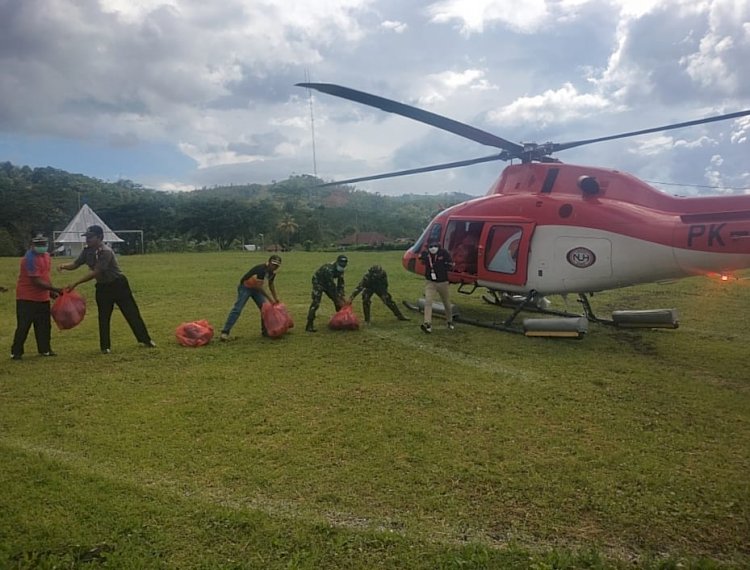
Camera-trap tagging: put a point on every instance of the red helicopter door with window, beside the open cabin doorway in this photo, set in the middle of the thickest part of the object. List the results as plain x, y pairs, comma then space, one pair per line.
504, 254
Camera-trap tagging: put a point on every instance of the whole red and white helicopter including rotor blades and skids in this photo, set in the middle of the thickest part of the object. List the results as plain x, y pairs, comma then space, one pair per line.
550, 228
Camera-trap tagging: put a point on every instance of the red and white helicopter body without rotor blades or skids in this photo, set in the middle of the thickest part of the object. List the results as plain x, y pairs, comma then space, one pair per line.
560, 228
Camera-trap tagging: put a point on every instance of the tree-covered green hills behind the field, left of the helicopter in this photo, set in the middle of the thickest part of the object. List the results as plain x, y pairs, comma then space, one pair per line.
290, 213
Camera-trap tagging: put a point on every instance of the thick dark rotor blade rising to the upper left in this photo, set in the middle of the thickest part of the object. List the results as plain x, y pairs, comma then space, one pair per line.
513, 150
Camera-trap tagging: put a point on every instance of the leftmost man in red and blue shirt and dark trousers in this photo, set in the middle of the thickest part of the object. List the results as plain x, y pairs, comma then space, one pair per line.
33, 291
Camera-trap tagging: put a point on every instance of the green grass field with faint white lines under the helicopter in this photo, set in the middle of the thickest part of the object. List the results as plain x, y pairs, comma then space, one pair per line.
380, 448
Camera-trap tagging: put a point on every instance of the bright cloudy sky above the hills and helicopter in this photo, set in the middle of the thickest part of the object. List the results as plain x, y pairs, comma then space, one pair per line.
179, 94
